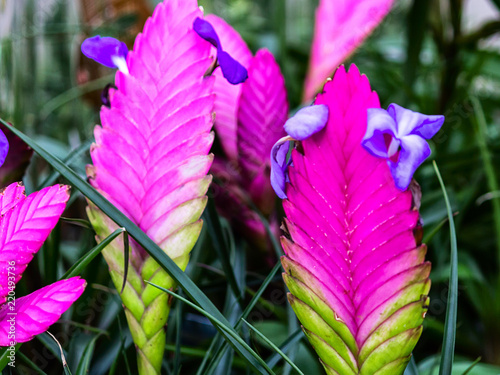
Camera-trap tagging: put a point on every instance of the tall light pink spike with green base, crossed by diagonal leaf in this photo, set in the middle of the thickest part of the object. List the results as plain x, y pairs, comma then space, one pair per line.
151, 159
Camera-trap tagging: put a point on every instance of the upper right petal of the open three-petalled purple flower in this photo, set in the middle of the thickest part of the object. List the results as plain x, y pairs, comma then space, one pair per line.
410, 122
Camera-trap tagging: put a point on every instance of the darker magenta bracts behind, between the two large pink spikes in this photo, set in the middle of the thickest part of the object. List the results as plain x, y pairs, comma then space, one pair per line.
249, 120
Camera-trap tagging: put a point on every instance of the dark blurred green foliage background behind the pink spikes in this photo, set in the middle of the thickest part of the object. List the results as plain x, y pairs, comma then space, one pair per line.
437, 57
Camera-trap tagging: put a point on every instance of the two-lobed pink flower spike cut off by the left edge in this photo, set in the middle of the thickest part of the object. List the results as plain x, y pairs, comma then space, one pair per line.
25, 223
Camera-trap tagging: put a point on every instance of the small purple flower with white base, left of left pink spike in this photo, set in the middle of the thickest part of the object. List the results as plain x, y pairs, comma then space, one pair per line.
107, 51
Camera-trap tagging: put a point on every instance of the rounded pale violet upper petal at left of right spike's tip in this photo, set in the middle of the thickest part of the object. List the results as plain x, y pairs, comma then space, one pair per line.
307, 121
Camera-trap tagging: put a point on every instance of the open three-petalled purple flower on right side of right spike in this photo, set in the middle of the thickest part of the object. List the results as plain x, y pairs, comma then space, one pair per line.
399, 135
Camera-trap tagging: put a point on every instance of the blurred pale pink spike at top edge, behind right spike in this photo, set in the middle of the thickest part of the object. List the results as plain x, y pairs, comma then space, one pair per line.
340, 27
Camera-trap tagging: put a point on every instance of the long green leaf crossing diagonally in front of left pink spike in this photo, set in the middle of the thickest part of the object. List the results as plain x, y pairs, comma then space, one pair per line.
190, 288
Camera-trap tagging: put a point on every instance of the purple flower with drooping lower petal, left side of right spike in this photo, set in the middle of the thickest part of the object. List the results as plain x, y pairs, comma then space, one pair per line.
302, 125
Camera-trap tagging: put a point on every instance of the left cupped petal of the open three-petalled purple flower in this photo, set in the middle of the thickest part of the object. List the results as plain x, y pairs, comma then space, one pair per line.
380, 125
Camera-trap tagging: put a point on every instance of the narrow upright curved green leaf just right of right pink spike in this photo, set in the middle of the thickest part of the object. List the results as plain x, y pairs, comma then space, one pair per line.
450, 325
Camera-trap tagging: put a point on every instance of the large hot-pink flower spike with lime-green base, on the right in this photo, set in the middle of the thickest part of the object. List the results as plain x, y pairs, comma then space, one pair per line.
356, 273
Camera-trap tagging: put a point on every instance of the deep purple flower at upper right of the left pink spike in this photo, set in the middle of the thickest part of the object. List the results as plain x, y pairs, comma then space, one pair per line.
232, 70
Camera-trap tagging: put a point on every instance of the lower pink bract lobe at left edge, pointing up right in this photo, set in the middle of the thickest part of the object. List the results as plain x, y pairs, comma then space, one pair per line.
36, 312
